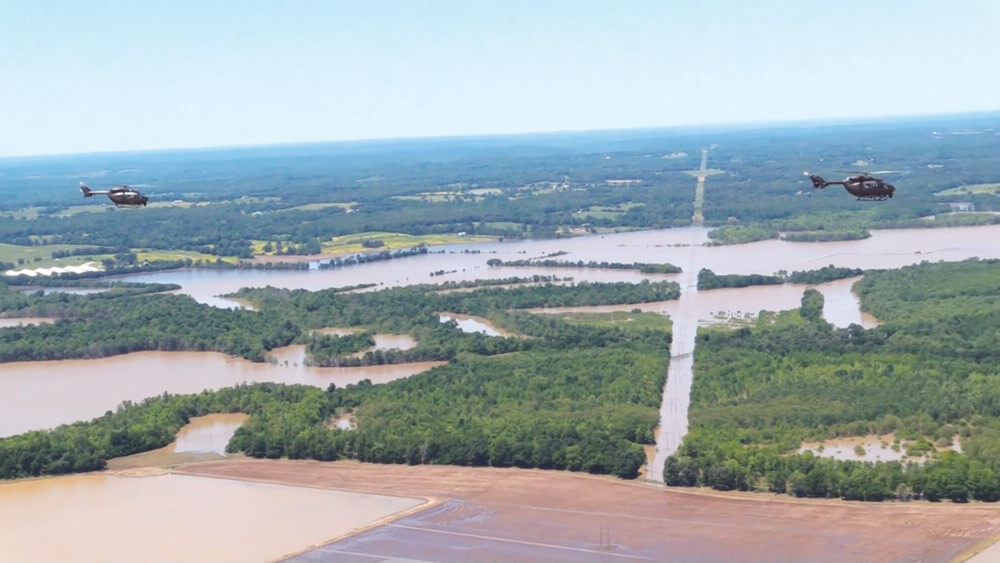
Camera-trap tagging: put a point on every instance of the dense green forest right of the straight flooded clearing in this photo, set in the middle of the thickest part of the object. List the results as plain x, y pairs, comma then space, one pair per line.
927, 375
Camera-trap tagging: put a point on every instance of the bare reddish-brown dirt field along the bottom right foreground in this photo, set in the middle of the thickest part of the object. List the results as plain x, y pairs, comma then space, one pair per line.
527, 515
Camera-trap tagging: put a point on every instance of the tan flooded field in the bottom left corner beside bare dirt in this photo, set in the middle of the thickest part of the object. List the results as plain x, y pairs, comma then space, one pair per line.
167, 517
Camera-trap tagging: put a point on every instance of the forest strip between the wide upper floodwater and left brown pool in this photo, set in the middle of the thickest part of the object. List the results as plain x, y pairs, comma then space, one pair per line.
118, 321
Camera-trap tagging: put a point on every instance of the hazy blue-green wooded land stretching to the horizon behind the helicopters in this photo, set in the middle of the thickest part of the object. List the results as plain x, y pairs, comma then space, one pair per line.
536, 187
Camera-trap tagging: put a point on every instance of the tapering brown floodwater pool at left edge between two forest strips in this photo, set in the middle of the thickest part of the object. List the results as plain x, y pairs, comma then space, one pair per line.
39, 395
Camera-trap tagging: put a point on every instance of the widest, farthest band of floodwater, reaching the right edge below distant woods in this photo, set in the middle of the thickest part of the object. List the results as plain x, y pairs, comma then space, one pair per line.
884, 249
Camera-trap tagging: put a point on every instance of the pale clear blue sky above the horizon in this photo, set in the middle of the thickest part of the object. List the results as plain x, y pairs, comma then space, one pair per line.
109, 76
